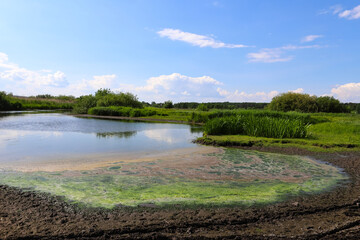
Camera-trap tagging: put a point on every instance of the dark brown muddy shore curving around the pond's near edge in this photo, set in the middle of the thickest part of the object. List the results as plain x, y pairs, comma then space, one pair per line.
332, 215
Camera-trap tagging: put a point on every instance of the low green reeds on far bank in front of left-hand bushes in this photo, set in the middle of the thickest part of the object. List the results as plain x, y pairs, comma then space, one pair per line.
122, 111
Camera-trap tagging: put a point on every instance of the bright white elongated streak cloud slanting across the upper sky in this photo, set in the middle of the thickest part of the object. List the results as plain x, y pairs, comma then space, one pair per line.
195, 39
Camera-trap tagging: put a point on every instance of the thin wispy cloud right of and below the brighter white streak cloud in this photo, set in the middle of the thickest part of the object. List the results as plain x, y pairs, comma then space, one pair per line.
272, 55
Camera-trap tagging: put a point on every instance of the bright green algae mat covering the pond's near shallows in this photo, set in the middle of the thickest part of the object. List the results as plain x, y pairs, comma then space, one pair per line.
116, 187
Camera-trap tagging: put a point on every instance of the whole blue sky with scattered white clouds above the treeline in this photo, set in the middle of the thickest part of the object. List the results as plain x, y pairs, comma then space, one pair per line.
181, 50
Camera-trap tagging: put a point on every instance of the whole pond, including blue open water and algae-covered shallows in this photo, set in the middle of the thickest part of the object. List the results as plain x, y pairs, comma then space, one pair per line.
103, 163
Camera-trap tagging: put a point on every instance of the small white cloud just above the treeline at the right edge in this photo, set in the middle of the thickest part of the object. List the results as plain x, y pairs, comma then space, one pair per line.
349, 92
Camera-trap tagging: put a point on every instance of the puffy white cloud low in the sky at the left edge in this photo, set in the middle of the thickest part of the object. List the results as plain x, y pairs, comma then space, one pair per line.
12, 72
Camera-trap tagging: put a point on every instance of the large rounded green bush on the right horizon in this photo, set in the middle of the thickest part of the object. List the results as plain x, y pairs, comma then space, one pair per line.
294, 102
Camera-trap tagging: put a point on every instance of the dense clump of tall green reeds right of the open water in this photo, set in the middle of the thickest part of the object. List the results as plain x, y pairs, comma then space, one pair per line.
259, 126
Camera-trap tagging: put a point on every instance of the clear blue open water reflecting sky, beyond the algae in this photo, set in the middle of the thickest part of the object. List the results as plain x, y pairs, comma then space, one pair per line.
45, 136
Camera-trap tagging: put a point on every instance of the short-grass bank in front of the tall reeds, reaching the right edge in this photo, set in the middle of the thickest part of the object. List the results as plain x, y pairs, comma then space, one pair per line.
332, 132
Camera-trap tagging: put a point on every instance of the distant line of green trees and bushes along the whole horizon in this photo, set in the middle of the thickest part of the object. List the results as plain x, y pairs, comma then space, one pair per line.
105, 98
